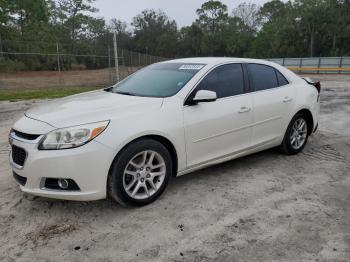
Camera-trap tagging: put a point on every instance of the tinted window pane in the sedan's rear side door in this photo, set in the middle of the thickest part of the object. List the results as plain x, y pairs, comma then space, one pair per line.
262, 77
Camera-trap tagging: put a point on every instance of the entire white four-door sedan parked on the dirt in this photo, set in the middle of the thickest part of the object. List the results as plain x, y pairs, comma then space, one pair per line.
168, 119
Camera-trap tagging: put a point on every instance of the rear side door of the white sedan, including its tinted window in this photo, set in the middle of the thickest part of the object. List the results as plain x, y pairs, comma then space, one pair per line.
273, 98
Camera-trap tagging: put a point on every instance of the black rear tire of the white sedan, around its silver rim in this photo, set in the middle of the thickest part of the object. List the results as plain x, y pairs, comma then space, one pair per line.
290, 146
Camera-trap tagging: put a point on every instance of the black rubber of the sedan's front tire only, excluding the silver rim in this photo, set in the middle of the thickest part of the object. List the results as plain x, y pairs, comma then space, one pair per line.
115, 188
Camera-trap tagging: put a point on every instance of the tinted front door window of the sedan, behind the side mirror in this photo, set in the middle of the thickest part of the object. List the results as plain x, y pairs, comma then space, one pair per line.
225, 80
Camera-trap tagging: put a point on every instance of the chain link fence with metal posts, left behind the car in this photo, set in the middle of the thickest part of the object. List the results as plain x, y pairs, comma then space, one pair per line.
36, 65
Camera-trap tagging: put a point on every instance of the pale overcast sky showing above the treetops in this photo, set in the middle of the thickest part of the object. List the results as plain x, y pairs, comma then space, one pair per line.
182, 11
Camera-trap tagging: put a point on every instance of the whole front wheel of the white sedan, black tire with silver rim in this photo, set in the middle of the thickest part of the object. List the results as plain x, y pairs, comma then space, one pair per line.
134, 168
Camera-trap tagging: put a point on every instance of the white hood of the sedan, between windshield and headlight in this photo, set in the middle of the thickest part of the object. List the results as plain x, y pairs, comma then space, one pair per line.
91, 107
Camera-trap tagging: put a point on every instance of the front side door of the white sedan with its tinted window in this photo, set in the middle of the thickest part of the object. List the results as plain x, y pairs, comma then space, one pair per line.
217, 129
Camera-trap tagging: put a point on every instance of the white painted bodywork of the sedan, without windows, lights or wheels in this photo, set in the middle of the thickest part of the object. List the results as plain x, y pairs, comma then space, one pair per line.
202, 135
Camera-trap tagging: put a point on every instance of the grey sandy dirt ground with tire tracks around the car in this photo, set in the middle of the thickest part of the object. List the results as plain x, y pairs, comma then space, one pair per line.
265, 207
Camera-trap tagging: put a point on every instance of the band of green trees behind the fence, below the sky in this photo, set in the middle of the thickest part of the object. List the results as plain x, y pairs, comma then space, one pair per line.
277, 29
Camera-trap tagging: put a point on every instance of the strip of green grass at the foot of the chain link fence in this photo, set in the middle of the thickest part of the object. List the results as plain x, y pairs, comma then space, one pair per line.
15, 95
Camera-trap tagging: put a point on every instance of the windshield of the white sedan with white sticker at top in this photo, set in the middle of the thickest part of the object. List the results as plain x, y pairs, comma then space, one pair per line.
158, 80
